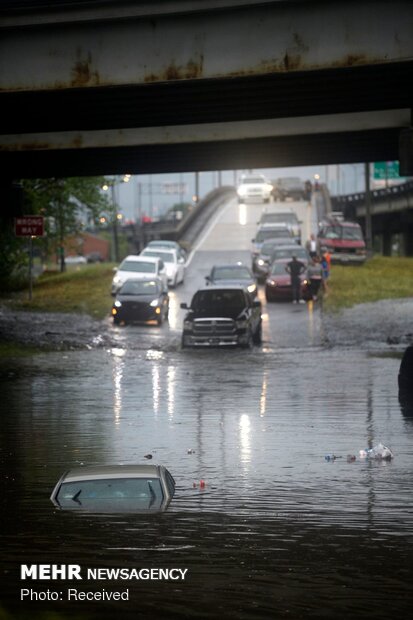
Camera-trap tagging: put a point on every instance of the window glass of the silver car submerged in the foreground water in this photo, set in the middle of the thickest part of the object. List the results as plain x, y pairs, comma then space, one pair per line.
148, 491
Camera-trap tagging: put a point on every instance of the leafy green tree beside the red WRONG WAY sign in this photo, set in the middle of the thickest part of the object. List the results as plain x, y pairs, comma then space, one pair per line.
66, 204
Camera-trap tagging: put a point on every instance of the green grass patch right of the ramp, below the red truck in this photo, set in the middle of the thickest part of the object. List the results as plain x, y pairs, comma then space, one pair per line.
379, 278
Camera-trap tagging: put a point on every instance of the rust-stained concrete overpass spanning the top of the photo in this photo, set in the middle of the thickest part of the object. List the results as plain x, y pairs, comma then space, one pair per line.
104, 87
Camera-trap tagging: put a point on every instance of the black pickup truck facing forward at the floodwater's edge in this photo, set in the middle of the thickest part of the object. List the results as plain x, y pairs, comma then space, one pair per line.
222, 316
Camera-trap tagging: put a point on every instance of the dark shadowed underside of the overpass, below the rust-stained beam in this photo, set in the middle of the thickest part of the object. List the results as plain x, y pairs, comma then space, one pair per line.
299, 118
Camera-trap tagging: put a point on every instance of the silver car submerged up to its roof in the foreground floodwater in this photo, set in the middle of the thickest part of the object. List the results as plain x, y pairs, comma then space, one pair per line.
115, 488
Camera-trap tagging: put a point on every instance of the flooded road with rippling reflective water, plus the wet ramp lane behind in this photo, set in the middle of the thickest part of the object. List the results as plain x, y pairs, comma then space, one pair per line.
278, 531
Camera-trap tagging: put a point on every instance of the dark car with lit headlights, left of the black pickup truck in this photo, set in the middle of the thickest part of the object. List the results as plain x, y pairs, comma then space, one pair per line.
141, 300
